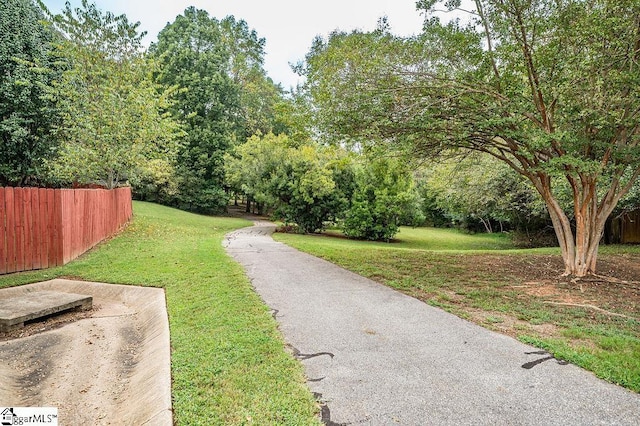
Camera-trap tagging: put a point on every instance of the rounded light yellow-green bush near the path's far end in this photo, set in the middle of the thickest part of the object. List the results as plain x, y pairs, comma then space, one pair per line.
300, 183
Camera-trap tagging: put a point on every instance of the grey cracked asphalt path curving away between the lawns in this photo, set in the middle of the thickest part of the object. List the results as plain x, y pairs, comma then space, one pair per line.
374, 356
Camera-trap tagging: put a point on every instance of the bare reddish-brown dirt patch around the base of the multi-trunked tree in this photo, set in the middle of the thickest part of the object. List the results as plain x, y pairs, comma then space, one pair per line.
537, 279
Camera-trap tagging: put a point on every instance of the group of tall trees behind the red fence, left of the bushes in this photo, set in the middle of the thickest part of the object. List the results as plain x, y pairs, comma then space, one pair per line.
82, 102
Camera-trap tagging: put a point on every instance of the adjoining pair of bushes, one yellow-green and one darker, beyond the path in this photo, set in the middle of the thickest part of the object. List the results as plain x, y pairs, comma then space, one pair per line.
310, 185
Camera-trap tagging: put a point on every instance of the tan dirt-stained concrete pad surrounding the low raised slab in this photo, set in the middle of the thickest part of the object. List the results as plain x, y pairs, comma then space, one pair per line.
109, 365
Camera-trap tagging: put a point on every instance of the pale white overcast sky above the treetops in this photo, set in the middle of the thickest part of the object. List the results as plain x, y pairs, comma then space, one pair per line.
288, 26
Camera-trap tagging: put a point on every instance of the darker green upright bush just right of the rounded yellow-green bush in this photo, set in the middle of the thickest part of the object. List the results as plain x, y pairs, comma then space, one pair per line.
385, 197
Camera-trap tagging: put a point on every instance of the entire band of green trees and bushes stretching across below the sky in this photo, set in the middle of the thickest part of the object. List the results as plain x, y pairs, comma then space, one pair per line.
521, 117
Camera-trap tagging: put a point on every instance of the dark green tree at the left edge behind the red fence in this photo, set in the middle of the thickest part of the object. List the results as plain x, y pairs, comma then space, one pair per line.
28, 113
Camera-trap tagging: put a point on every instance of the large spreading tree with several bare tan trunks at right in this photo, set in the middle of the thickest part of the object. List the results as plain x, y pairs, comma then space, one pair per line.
550, 87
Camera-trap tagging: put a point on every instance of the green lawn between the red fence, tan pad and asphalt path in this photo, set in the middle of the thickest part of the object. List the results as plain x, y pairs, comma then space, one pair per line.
229, 363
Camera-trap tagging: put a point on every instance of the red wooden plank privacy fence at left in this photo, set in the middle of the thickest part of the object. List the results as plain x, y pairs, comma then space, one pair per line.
41, 228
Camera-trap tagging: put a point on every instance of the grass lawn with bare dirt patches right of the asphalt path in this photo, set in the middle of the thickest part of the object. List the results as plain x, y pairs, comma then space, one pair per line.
482, 278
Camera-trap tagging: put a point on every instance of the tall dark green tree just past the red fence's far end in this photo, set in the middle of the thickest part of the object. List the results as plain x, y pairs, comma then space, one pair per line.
225, 97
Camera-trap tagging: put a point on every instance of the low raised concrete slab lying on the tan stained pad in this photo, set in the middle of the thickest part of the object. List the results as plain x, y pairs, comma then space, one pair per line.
15, 311
